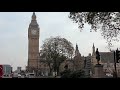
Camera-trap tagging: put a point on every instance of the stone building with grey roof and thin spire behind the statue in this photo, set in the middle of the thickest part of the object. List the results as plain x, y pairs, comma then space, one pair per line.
107, 60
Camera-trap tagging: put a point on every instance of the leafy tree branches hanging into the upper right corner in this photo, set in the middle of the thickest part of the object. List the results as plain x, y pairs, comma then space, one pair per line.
107, 22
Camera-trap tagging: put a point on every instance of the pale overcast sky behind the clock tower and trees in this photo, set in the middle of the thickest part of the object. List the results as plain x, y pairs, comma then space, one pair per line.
14, 35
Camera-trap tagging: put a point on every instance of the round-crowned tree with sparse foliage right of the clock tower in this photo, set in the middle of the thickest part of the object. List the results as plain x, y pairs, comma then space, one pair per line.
55, 50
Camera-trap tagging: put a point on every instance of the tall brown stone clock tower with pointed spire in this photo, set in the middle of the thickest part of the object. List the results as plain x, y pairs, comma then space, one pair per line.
33, 44
